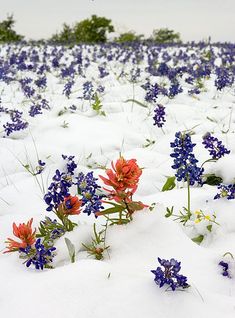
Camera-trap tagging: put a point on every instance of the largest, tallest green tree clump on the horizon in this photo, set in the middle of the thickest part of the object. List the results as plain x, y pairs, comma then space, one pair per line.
93, 30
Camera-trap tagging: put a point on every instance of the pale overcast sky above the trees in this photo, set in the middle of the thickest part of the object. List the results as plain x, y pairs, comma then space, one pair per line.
194, 19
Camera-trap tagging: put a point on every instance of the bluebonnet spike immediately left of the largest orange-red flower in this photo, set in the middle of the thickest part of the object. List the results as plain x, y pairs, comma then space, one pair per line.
88, 187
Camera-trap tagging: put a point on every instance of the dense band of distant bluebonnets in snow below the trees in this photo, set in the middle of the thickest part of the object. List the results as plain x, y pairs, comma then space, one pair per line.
29, 67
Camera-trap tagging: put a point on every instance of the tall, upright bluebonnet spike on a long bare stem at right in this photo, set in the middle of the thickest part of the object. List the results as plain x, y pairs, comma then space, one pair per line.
185, 162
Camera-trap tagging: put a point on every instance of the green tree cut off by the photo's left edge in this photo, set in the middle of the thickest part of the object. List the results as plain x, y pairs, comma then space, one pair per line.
7, 34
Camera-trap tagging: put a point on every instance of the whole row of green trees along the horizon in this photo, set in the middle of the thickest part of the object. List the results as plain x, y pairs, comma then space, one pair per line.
89, 31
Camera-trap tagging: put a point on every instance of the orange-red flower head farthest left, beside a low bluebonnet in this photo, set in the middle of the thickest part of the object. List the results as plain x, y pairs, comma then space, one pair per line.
25, 233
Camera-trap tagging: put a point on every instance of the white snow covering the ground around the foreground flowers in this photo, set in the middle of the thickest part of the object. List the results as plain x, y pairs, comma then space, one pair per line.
121, 285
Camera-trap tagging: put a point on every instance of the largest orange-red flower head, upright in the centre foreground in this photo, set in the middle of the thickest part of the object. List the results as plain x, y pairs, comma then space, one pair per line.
125, 175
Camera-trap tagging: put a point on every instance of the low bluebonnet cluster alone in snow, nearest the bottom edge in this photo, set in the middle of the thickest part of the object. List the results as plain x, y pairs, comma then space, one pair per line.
169, 275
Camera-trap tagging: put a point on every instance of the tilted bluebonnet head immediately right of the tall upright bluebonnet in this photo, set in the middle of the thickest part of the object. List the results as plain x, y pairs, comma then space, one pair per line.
215, 146
